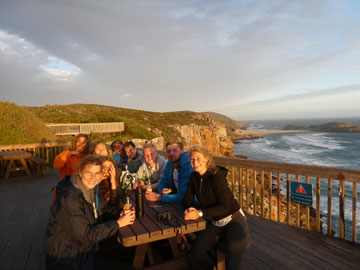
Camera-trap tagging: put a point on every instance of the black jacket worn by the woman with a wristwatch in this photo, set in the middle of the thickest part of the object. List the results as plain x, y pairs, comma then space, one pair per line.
212, 190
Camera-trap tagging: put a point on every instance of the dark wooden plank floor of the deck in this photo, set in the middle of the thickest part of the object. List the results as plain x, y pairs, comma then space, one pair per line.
24, 208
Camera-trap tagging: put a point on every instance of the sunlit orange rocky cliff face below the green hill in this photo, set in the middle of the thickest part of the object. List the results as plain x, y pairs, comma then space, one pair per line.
212, 135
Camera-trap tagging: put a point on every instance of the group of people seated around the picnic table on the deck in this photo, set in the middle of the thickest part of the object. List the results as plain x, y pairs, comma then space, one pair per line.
85, 208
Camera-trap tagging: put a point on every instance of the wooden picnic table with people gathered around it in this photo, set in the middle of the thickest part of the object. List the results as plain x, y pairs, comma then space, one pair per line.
148, 229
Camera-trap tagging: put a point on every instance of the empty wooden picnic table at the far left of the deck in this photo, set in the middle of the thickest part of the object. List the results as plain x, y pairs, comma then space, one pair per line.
14, 161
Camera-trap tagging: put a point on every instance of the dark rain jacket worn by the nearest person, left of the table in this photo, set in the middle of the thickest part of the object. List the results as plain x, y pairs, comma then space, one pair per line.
73, 230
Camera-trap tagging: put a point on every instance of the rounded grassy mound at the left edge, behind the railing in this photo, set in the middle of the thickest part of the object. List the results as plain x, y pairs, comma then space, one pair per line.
18, 125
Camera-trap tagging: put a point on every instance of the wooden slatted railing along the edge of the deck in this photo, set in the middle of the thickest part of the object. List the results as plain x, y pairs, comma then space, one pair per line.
262, 188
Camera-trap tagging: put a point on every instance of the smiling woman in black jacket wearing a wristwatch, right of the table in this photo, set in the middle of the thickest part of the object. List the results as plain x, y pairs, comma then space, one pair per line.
226, 224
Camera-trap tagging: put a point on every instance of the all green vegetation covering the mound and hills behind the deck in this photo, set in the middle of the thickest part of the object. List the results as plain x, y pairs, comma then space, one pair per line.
27, 124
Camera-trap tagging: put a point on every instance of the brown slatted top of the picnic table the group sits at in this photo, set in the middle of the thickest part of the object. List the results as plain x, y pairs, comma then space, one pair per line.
147, 229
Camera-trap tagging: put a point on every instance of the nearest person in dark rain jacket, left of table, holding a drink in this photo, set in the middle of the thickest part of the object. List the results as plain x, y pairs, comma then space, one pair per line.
74, 227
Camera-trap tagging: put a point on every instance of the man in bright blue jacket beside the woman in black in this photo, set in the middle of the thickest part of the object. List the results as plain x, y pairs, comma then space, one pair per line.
174, 181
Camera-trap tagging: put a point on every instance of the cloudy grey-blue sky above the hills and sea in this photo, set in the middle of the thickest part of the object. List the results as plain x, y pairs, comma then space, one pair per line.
247, 59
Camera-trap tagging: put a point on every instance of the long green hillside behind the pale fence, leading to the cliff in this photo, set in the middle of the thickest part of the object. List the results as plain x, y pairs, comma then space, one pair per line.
138, 124
